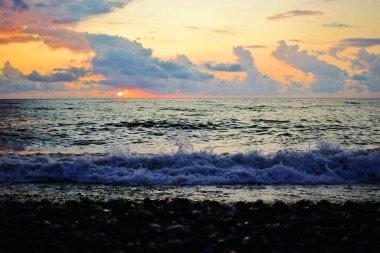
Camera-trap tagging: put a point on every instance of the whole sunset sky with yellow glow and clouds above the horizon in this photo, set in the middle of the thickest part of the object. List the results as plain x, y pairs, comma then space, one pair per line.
186, 49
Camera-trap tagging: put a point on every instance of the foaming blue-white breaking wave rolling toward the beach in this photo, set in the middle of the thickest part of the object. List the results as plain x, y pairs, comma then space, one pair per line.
324, 166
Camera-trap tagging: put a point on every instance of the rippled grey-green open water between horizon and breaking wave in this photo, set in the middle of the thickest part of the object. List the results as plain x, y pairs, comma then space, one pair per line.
223, 125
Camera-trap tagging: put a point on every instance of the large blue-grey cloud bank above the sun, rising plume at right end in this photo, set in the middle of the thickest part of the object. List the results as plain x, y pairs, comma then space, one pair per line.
127, 64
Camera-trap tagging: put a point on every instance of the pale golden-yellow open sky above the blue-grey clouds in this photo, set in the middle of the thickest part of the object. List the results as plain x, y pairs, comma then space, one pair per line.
197, 27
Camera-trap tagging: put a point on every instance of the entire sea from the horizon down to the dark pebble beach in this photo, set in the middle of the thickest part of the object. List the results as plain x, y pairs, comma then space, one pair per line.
226, 150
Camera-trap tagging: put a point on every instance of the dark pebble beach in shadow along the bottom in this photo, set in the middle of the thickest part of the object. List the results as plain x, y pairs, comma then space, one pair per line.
180, 225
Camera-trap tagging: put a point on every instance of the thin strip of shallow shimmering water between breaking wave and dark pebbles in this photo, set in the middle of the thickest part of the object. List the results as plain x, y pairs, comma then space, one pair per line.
228, 194
